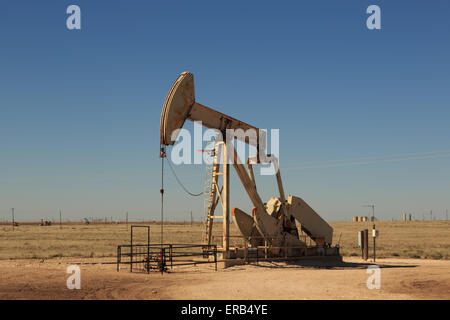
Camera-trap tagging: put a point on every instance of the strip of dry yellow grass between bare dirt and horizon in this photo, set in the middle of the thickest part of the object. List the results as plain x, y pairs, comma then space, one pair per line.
412, 239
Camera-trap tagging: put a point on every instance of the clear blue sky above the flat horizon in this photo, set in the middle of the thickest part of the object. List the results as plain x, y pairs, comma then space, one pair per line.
79, 110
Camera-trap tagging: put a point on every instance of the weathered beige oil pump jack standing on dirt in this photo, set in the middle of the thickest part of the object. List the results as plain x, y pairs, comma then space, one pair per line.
271, 223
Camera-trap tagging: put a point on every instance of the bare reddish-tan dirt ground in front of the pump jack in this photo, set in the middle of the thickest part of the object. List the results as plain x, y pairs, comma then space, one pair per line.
400, 279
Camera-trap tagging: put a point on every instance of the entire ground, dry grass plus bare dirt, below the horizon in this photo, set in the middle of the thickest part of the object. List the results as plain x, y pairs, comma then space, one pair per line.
33, 262
